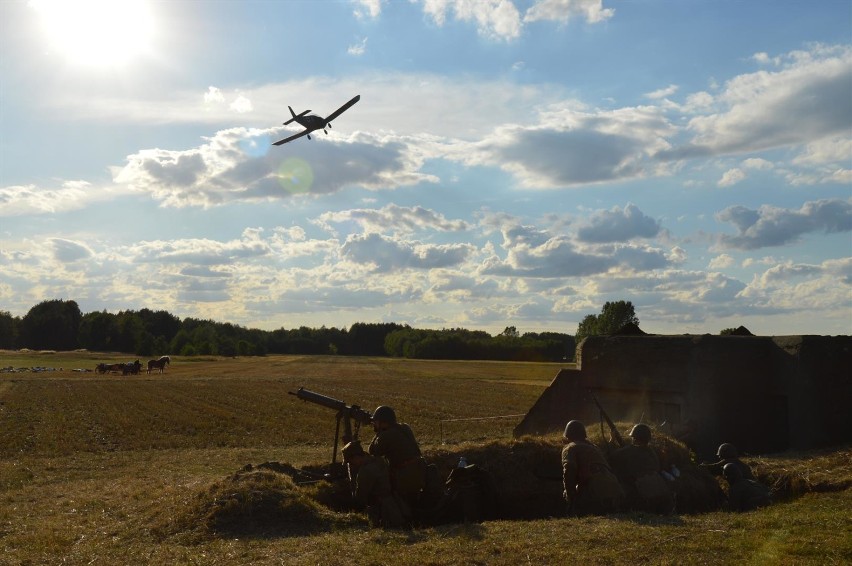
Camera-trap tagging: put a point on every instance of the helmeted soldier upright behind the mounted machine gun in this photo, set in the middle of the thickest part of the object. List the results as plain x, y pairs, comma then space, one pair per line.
395, 443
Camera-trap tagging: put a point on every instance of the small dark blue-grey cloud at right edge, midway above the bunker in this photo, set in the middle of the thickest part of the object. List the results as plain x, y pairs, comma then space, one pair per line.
772, 226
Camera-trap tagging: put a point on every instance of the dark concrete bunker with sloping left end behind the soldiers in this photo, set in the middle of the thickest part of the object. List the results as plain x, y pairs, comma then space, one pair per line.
762, 393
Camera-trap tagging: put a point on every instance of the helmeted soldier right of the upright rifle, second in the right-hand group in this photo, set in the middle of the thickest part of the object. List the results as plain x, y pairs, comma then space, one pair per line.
637, 467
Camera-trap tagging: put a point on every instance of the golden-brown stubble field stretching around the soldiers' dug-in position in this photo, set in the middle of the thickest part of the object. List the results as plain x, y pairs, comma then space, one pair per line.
92, 466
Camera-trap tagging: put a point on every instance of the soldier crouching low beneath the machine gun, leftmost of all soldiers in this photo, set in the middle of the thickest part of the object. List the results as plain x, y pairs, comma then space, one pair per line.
368, 476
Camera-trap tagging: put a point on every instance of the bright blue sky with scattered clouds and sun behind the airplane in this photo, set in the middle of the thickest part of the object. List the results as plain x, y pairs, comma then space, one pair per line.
509, 163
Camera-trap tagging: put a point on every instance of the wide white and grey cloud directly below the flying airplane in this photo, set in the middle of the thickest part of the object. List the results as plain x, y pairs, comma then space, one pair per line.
222, 171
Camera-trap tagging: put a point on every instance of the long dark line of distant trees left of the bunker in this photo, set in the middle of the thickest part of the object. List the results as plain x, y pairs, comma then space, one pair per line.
59, 325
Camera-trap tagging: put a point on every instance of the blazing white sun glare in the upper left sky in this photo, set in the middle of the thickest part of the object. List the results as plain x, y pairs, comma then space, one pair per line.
98, 33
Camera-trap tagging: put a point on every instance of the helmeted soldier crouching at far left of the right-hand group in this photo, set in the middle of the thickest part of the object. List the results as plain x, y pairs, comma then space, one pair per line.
590, 487
